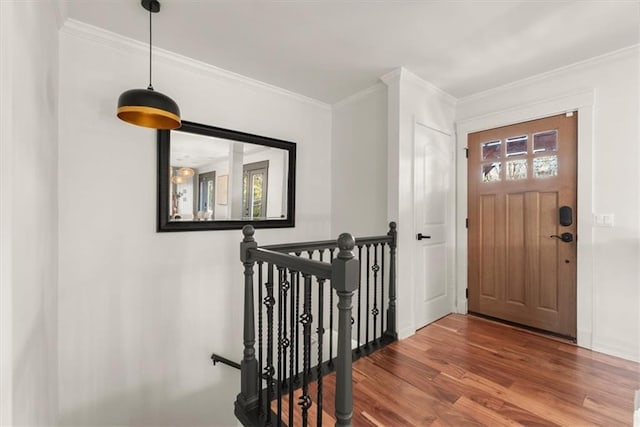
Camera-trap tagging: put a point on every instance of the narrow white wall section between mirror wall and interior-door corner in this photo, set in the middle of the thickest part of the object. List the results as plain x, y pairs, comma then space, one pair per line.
359, 163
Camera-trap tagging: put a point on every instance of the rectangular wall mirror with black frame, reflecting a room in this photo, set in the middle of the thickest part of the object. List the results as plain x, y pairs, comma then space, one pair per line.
211, 178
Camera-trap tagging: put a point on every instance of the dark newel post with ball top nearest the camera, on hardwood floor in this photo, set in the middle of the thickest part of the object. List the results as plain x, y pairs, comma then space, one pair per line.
344, 279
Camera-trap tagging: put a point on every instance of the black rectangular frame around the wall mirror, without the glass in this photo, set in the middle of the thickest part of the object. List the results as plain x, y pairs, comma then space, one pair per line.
164, 150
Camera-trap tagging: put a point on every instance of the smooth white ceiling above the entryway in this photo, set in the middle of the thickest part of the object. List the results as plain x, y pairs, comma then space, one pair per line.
331, 49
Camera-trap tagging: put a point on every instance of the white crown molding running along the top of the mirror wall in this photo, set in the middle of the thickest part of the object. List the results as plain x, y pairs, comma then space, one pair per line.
113, 40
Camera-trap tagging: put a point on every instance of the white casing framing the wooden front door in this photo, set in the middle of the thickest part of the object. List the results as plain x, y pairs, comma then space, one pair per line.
583, 103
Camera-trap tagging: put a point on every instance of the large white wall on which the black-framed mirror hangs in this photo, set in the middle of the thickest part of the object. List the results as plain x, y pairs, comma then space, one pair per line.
141, 312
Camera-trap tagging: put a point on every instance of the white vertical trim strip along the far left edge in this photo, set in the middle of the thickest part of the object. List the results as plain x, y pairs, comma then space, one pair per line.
6, 215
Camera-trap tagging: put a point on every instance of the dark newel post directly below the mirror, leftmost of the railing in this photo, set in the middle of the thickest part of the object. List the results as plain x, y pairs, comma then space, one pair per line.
247, 400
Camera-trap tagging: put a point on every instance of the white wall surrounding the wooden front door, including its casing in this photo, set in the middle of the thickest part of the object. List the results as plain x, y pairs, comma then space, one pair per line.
608, 183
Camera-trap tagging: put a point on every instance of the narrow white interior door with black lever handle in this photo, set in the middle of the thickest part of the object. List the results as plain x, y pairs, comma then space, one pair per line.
434, 215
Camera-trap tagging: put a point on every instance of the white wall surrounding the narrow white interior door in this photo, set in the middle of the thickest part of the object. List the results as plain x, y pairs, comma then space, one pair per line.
411, 101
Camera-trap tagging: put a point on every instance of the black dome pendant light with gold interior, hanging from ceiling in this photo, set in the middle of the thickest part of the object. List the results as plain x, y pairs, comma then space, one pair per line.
146, 107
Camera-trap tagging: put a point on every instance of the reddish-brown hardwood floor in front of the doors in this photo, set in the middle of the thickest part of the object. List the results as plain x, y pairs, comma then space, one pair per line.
463, 371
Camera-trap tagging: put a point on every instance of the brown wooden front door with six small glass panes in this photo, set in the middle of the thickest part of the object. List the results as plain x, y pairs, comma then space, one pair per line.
522, 223
